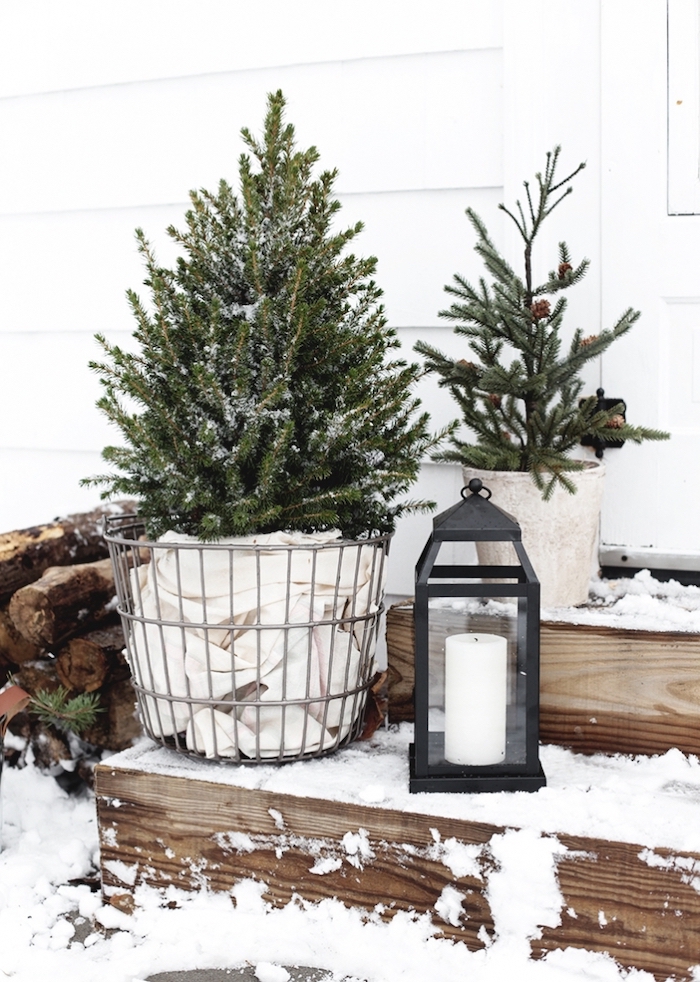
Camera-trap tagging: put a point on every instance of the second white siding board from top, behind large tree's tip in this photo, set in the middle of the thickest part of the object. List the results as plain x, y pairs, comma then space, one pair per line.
406, 122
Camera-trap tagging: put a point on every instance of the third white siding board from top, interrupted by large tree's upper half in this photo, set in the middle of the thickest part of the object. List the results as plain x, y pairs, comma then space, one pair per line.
69, 271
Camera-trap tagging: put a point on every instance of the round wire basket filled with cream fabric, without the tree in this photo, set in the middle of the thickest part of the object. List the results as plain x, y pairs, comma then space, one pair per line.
249, 651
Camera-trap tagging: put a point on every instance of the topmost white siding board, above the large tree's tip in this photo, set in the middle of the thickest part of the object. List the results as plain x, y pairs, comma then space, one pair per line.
47, 46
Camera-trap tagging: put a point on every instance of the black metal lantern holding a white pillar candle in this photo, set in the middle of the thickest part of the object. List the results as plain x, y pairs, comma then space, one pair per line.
476, 657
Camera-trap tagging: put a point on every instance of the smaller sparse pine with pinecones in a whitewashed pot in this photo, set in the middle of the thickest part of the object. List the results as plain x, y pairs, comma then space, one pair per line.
519, 392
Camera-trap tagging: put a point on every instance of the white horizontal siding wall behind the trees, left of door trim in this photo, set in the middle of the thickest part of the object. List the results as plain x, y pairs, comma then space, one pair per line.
113, 112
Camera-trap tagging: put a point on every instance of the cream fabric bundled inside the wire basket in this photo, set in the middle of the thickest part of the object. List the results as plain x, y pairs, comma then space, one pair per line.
198, 663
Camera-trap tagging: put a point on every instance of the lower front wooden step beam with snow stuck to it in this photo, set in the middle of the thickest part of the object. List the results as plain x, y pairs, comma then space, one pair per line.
639, 906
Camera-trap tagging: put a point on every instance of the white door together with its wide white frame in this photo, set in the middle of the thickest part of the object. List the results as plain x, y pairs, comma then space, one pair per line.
592, 76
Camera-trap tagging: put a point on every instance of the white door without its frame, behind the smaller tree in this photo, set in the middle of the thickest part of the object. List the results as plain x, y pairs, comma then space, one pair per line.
650, 252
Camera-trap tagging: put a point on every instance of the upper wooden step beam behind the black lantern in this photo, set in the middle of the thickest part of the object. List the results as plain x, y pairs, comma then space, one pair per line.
601, 689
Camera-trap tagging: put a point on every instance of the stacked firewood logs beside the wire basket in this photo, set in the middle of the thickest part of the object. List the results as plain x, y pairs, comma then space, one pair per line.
59, 627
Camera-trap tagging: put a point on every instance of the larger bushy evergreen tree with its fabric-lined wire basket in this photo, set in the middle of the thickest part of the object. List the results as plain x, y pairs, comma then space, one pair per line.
268, 434
